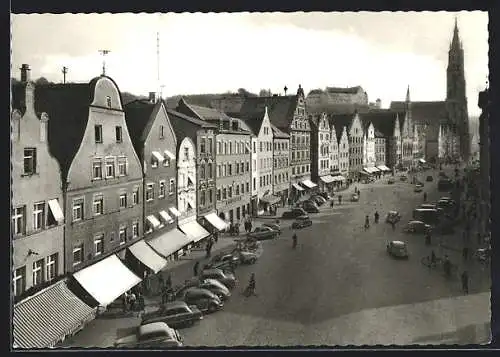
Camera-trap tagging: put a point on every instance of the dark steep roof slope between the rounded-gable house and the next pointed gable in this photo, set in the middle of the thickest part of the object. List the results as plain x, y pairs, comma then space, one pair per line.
139, 118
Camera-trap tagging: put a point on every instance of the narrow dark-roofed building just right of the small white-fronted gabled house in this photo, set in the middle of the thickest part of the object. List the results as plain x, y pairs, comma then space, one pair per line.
202, 134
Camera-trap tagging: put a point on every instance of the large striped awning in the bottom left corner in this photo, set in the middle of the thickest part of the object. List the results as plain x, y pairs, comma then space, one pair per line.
44, 319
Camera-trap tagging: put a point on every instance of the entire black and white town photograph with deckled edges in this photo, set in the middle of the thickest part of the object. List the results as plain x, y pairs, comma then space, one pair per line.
250, 180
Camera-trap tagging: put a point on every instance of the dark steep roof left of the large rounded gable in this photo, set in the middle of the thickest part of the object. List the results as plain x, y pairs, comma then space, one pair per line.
67, 106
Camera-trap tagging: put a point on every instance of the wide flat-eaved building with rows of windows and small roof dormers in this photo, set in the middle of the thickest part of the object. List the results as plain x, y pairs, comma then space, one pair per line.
232, 161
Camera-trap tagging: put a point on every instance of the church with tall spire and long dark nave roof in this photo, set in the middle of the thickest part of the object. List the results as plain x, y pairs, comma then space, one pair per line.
444, 125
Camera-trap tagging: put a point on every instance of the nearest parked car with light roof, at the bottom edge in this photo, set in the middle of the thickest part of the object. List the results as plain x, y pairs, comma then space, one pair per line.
156, 334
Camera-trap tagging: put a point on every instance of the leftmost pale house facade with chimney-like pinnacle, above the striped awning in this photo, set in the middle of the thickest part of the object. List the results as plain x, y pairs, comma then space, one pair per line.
37, 218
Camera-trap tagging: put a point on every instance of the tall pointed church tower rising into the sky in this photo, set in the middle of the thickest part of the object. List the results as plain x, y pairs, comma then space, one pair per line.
456, 98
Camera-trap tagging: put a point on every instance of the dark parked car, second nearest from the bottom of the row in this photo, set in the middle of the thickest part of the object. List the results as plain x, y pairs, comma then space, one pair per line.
175, 314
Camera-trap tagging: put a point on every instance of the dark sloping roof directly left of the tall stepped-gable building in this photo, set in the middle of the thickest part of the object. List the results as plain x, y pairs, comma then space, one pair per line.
280, 108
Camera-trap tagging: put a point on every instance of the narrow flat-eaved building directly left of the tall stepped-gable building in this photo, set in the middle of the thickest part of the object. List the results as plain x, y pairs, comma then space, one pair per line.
281, 164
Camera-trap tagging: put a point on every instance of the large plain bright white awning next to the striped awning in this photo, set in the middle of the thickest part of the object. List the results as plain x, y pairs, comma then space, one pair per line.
107, 279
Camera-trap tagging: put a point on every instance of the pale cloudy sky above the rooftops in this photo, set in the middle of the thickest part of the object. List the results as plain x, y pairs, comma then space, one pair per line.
384, 52
